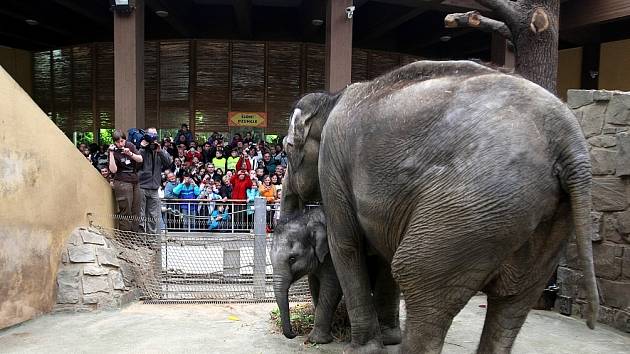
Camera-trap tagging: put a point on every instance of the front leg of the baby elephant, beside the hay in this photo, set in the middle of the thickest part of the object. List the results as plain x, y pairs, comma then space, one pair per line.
328, 298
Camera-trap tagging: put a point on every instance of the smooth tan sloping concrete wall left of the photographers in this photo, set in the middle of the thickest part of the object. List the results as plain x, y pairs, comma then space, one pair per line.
46, 189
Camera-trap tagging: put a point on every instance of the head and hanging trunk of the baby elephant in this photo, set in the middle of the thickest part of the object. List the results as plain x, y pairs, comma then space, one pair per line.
299, 247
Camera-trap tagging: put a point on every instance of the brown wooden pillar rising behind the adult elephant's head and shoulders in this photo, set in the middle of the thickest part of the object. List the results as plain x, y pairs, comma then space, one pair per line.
338, 45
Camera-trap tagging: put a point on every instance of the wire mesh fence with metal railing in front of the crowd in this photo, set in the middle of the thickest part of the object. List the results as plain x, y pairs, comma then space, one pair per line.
192, 259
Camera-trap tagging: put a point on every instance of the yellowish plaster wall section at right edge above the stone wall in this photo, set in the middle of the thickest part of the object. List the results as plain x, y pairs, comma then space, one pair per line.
614, 66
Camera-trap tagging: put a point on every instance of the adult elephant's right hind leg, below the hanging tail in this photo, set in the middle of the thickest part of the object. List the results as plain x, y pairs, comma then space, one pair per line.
520, 282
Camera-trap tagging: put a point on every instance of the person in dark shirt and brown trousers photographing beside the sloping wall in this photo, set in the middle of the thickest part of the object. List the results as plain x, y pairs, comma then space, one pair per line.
123, 163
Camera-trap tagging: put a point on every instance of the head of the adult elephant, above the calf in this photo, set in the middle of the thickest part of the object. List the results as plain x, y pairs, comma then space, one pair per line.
302, 147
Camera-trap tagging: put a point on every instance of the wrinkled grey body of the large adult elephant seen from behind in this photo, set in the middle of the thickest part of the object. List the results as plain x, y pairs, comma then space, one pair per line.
464, 179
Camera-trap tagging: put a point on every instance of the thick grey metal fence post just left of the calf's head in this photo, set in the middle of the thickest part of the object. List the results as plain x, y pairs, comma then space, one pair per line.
260, 247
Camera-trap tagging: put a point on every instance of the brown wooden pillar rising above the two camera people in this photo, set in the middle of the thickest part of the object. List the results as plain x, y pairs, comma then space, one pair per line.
129, 68
